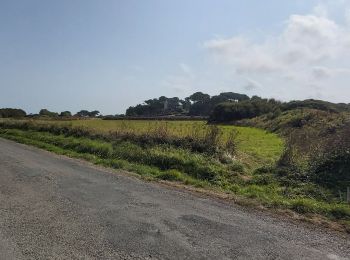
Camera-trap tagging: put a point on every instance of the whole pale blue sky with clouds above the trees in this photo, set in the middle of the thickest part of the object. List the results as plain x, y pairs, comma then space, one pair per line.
111, 54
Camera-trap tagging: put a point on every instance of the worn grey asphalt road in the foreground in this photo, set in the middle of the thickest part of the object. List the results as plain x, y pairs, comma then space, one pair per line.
53, 207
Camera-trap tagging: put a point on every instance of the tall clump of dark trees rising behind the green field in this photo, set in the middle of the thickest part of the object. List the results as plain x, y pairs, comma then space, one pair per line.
226, 106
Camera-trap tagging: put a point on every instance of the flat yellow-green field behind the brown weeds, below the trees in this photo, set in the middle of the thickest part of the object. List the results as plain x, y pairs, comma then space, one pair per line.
255, 147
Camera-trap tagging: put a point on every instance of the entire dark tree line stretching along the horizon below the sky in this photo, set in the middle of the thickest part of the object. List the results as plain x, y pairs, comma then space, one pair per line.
225, 107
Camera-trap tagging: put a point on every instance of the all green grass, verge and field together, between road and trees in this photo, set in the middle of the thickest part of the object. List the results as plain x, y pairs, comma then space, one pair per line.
249, 173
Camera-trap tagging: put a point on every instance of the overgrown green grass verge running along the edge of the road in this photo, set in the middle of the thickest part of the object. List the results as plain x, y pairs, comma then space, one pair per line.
172, 163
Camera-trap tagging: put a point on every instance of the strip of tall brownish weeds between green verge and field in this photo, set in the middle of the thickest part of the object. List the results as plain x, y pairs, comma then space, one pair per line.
208, 140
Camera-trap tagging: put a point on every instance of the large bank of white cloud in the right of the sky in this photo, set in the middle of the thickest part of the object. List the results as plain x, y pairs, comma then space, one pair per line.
311, 50
